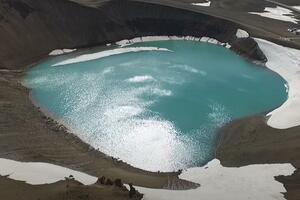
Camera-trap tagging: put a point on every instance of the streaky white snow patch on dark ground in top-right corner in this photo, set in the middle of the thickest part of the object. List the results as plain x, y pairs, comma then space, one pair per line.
278, 13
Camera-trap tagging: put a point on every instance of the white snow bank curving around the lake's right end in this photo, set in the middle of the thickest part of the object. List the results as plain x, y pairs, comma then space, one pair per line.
286, 62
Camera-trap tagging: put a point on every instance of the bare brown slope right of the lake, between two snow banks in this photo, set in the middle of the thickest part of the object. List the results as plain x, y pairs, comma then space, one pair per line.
252, 141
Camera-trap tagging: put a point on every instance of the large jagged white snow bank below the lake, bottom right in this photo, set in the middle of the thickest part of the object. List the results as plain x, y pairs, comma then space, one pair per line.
251, 182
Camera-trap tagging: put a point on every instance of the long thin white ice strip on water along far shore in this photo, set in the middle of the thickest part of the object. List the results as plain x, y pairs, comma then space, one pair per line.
102, 54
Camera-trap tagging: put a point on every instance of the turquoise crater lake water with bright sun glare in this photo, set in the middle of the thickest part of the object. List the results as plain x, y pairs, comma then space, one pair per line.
157, 110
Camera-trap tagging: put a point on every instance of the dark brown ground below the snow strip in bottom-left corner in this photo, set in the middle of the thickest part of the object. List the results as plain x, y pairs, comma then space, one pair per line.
61, 190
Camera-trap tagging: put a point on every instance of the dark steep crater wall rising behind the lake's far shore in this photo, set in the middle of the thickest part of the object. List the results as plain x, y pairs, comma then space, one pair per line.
30, 29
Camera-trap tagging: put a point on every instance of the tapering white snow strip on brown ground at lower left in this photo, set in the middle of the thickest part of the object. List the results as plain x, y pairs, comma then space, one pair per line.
36, 173
